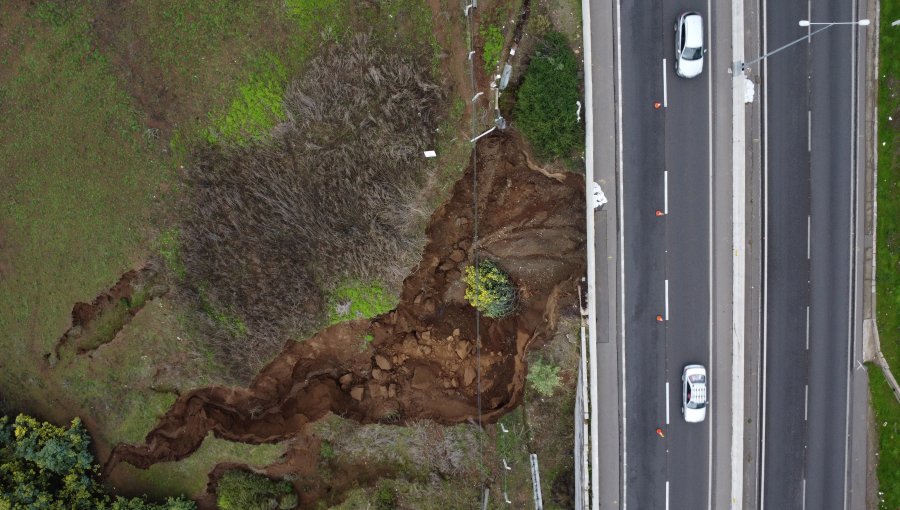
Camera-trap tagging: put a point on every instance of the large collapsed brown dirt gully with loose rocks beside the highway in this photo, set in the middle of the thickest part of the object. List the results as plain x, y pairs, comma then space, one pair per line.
421, 363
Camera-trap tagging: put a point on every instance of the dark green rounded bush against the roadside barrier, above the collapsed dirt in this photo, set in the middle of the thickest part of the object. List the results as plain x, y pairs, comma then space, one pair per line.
546, 101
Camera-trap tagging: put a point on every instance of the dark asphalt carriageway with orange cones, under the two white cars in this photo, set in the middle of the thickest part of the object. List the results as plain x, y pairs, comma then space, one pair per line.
665, 166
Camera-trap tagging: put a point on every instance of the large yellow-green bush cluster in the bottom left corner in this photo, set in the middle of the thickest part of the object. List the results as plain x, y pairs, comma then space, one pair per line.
50, 467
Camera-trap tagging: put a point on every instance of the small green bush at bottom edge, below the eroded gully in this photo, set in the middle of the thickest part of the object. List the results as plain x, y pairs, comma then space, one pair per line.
242, 490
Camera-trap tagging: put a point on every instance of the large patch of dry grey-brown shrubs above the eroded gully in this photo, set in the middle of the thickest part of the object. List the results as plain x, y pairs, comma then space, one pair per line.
334, 194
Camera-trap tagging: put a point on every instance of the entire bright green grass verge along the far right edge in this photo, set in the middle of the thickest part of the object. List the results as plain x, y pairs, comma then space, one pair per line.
887, 410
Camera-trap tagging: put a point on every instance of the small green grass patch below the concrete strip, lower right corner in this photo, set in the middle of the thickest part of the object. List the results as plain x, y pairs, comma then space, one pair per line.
887, 427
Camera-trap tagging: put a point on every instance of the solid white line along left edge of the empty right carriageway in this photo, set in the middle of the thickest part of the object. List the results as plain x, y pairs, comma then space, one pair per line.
765, 302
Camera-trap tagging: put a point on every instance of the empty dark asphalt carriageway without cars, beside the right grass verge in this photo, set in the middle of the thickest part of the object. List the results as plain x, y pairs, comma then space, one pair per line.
808, 120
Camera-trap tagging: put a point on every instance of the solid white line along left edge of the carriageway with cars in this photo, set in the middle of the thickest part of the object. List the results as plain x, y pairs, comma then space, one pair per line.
623, 497
